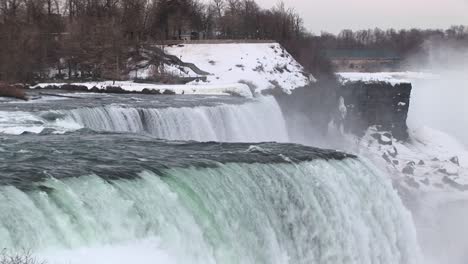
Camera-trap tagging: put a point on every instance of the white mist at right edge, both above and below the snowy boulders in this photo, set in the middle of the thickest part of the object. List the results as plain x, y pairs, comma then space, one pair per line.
441, 103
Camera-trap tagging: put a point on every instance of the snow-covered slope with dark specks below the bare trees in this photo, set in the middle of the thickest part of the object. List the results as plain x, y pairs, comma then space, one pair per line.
265, 65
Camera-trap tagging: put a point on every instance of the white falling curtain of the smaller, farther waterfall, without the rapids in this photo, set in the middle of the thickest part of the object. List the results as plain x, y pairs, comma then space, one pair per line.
257, 121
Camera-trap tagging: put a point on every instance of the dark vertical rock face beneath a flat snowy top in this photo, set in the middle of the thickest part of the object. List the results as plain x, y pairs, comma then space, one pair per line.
377, 104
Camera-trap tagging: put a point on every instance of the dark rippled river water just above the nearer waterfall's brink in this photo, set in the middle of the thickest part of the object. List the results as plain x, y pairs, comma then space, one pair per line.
26, 159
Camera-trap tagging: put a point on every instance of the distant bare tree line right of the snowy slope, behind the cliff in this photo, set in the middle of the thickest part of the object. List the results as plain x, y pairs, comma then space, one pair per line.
315, 52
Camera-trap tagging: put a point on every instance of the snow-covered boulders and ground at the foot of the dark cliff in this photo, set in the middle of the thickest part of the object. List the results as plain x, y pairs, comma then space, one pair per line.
429, 155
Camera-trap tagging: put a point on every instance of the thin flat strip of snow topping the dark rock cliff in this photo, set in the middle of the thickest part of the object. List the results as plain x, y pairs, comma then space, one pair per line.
389, 77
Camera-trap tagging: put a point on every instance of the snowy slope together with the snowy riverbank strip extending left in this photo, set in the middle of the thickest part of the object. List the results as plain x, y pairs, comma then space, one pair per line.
235, 68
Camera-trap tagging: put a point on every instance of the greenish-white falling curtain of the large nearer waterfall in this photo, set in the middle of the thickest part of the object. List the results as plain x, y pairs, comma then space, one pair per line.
316, 212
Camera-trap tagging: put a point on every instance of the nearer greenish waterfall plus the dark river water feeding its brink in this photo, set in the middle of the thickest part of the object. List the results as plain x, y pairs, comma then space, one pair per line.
299, 210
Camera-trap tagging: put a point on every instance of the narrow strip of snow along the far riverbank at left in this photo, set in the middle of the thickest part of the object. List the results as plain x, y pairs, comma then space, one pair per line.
205, 89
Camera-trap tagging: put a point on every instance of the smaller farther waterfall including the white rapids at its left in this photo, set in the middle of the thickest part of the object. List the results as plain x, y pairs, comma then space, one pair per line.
254, 121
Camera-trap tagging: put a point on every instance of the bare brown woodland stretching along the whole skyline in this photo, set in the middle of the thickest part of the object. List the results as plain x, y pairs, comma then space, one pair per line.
97, 37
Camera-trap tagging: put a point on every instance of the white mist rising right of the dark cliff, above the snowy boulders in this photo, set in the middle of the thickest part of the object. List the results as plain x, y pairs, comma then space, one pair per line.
440, 103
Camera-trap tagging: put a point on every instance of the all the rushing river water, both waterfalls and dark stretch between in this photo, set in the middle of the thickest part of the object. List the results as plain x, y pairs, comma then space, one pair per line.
91, 195
